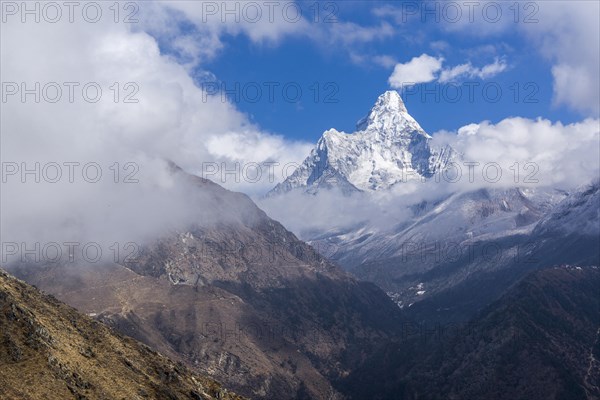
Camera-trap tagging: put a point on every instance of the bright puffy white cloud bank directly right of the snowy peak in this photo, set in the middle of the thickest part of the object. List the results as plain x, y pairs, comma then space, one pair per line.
564, 155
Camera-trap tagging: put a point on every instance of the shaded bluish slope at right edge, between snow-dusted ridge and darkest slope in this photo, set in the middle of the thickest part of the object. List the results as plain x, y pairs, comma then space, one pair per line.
568, 234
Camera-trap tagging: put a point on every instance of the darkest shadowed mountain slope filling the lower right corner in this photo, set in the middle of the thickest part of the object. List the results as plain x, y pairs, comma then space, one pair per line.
541, 340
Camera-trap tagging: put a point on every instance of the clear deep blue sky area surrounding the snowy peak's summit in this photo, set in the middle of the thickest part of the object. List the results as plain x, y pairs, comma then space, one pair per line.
348, 80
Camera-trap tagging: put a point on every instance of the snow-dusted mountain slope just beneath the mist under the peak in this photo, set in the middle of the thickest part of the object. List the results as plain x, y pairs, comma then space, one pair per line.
456, 220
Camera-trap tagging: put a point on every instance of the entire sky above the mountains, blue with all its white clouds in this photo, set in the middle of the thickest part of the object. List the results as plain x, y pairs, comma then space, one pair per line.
178, 48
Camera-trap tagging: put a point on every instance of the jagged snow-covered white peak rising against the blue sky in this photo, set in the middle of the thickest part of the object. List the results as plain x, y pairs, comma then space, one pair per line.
388, 147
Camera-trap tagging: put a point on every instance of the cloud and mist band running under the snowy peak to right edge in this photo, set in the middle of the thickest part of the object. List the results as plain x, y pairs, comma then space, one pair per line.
543, 153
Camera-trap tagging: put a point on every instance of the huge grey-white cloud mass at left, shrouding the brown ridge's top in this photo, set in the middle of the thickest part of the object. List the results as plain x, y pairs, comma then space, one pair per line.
173, 119
